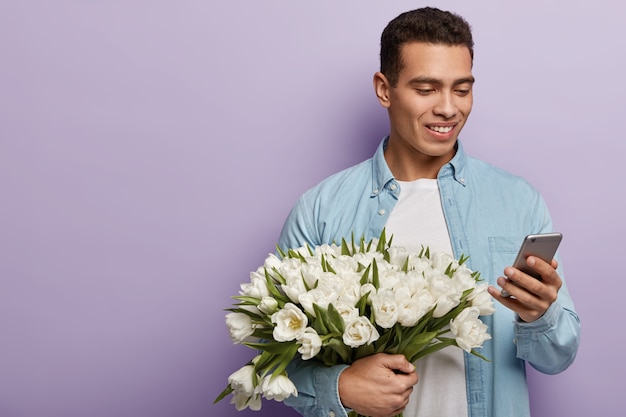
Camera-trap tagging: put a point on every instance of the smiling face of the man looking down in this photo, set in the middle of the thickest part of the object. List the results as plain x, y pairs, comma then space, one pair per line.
430, 103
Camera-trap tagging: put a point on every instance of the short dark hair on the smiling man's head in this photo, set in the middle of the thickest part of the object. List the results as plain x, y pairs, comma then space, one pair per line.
429, 25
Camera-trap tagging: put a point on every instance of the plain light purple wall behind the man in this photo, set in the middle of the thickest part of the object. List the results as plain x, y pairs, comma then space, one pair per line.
150, 151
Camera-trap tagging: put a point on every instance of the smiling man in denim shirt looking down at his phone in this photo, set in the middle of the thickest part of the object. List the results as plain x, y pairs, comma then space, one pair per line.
422, 187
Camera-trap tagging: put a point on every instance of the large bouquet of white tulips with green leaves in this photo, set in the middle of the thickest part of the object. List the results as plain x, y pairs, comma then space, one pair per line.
336, 304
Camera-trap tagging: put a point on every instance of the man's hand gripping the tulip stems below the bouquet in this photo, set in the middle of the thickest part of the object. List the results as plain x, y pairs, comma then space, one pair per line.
378, 385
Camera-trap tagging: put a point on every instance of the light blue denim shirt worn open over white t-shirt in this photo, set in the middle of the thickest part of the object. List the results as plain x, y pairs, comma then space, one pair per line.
488, 211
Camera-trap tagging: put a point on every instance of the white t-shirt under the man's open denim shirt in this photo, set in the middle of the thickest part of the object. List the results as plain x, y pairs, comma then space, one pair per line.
417, 220
